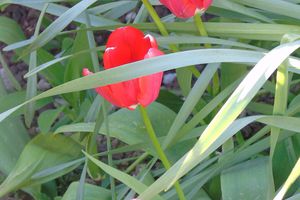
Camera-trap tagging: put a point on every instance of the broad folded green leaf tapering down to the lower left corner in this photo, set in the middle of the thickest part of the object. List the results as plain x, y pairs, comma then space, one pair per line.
40, 153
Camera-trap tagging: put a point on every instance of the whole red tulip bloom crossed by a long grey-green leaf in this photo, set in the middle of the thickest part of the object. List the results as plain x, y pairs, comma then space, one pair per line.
126, 45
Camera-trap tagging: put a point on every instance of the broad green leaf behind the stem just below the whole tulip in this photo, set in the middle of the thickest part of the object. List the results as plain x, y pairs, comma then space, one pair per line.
128, 127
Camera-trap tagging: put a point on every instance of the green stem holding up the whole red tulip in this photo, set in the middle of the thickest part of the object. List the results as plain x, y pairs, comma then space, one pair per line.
162, 156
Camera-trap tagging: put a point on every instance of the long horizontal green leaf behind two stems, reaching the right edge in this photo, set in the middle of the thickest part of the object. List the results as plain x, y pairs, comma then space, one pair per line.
253, 31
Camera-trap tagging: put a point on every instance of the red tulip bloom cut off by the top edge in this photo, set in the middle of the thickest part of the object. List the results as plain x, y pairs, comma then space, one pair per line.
186, 8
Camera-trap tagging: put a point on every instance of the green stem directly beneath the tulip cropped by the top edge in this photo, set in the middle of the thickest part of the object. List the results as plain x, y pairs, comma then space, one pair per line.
202, 30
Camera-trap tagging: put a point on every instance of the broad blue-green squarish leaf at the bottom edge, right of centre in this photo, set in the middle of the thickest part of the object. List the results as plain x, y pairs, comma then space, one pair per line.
248, 180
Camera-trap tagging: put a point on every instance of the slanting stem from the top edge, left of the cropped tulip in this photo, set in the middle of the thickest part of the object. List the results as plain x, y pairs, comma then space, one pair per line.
162, 29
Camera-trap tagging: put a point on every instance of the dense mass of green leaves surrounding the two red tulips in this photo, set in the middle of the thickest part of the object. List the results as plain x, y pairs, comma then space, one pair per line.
226, 66
